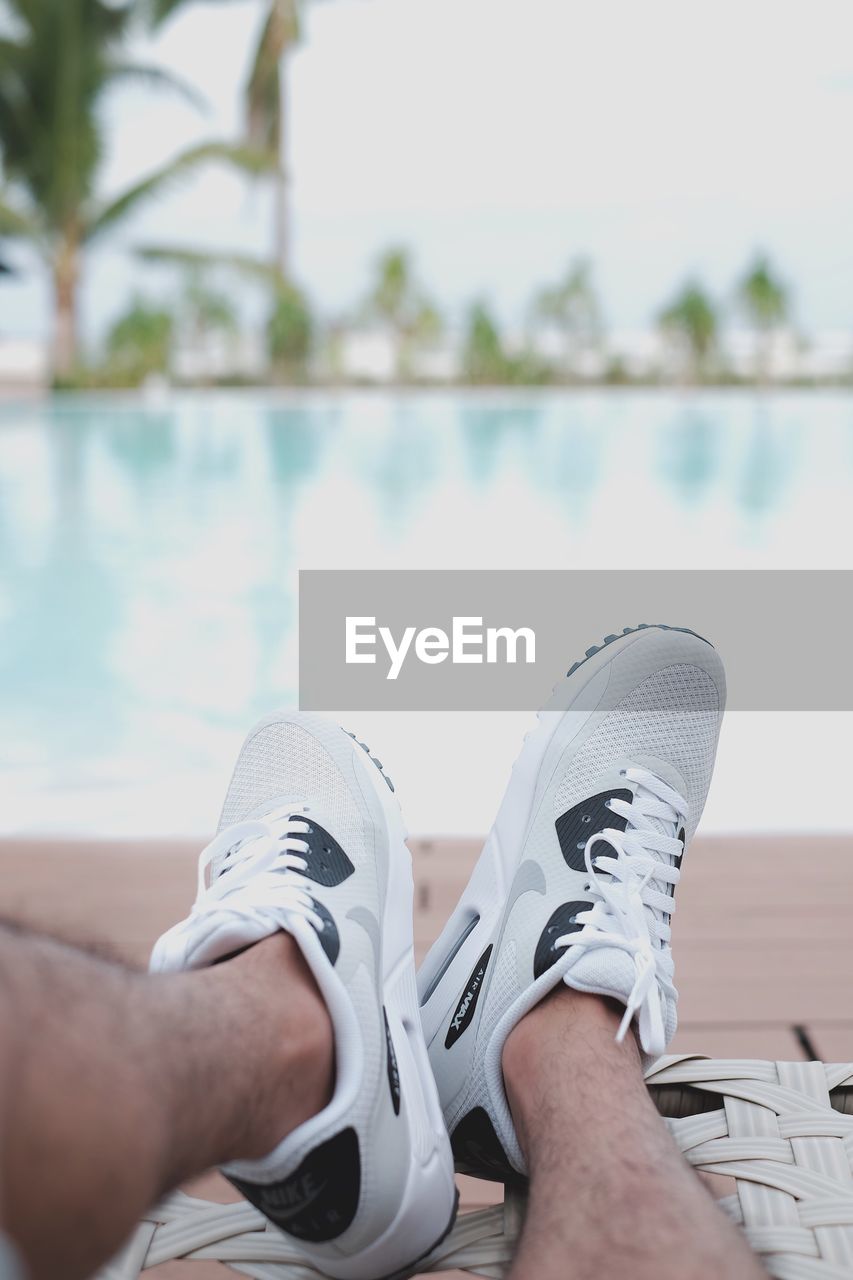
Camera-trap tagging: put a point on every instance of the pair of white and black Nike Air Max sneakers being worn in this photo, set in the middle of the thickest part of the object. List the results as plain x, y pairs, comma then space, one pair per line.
576, 884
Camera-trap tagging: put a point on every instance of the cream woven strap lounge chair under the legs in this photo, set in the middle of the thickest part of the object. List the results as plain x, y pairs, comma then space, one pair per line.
782, 1131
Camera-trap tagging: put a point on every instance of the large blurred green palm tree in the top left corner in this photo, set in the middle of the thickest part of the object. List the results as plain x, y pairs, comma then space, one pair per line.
57, 67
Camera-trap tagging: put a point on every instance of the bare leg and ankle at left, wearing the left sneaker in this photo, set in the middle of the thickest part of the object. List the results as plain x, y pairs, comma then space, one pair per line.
117, 1086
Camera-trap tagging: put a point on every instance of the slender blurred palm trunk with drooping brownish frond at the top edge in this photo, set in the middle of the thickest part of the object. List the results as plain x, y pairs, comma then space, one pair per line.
267, 116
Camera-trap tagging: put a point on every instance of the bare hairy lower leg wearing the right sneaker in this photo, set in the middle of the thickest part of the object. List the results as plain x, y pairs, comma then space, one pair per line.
610, 1194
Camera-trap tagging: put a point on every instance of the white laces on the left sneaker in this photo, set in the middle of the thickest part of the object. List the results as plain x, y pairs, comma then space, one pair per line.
261, 881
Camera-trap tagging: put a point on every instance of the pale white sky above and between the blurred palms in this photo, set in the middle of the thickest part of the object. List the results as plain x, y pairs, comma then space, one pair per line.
500, 139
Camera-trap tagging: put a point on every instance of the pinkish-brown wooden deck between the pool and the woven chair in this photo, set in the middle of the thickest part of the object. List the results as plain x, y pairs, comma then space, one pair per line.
764, 939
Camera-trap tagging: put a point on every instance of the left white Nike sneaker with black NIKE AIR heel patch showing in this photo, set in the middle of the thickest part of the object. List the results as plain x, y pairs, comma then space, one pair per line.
312, 842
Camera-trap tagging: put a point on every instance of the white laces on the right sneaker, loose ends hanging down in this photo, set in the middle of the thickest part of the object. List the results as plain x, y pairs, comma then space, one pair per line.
626, 900
